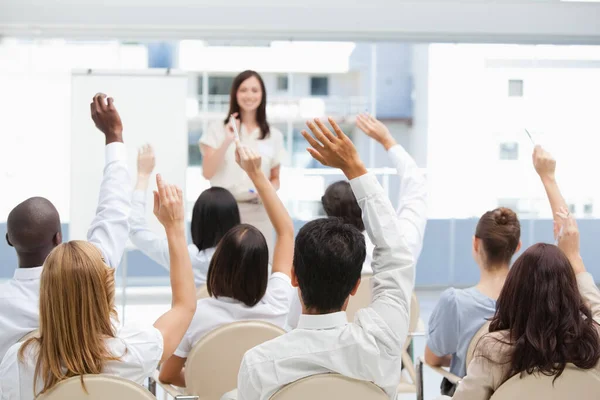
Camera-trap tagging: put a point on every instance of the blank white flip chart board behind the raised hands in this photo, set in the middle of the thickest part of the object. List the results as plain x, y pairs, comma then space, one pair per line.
152, 108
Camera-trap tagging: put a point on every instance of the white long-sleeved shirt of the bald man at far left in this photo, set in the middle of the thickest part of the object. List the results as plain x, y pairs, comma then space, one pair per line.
19, 297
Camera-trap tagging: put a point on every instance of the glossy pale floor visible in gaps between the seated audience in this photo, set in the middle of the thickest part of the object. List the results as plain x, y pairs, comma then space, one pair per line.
144, 305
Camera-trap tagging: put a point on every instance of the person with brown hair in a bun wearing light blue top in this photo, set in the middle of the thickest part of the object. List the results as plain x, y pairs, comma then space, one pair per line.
460, 313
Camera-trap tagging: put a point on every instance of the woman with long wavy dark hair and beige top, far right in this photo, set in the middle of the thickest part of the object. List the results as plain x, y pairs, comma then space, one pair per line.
547, 314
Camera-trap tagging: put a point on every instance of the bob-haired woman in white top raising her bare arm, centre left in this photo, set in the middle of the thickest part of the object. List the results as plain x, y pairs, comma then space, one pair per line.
238, 280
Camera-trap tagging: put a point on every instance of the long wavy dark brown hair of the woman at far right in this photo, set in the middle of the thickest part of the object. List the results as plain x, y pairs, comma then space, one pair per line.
548, 323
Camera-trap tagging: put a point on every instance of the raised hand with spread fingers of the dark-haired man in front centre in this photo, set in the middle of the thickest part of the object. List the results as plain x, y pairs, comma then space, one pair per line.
334, 150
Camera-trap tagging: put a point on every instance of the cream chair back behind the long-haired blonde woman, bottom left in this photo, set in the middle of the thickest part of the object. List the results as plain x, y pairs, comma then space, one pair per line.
99, 387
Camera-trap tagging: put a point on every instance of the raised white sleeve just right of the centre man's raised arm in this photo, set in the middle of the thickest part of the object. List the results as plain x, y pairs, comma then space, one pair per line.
412, 202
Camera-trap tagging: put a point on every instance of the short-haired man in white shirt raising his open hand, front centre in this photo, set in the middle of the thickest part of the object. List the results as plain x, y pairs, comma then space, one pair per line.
328, 260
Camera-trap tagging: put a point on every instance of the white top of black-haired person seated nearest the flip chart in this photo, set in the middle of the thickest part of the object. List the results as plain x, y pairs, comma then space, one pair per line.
156, 247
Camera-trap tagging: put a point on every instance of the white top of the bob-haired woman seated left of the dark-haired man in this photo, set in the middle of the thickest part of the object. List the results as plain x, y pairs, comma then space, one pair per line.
212, 313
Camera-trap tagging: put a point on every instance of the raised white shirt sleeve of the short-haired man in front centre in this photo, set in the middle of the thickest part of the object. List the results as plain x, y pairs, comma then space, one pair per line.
393, 264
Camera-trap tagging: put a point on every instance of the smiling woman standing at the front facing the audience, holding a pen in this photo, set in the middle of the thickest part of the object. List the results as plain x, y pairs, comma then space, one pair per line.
248, 104
